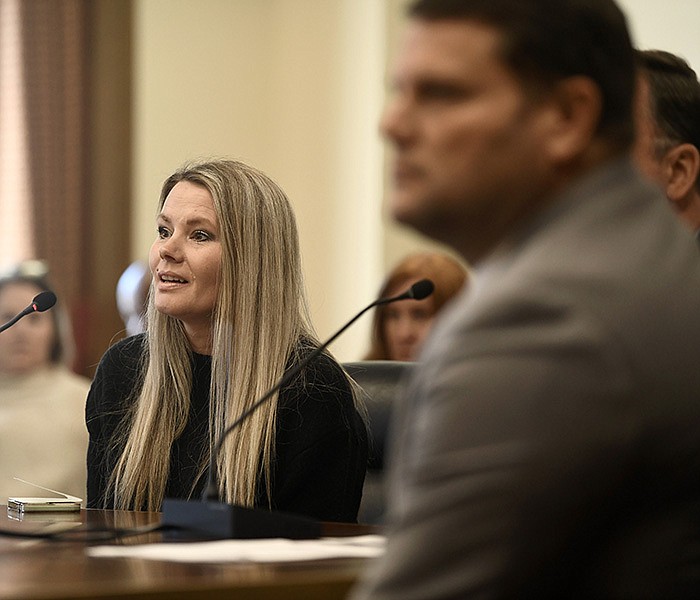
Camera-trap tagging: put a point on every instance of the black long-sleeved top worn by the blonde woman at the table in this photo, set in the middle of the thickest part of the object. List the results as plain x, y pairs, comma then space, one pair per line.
320, 449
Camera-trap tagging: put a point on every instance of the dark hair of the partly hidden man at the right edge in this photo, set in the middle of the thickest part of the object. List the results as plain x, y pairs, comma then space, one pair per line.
674, 96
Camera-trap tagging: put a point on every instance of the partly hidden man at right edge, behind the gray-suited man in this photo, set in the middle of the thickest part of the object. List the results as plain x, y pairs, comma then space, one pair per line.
668, 120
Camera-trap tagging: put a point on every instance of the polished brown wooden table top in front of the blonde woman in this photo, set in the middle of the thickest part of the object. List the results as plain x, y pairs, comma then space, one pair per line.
41, 569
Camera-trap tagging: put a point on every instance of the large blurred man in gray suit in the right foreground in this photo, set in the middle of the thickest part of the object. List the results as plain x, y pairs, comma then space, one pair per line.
548, 446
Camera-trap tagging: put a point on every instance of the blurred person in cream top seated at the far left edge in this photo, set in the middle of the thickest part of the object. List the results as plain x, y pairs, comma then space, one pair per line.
43, 438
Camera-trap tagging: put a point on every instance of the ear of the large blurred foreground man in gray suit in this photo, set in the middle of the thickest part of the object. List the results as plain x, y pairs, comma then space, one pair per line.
573, 116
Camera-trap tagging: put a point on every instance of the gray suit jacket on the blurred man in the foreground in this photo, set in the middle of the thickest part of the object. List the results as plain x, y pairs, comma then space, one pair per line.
549, 445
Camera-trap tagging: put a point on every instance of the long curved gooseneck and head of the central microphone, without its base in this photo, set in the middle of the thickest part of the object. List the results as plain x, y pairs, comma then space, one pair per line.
418, 291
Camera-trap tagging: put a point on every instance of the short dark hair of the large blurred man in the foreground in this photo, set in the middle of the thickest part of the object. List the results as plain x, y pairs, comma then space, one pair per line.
545, 41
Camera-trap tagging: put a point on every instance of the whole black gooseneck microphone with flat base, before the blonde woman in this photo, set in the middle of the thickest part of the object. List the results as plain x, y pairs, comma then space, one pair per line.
212, 518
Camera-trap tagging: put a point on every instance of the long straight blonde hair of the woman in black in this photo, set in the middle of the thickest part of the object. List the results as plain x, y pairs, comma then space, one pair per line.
260, 315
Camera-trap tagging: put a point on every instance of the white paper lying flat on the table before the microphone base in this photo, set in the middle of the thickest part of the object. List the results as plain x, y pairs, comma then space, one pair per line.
261, 550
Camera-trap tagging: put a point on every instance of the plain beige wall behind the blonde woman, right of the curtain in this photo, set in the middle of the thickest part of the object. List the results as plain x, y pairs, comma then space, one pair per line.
295, 87
